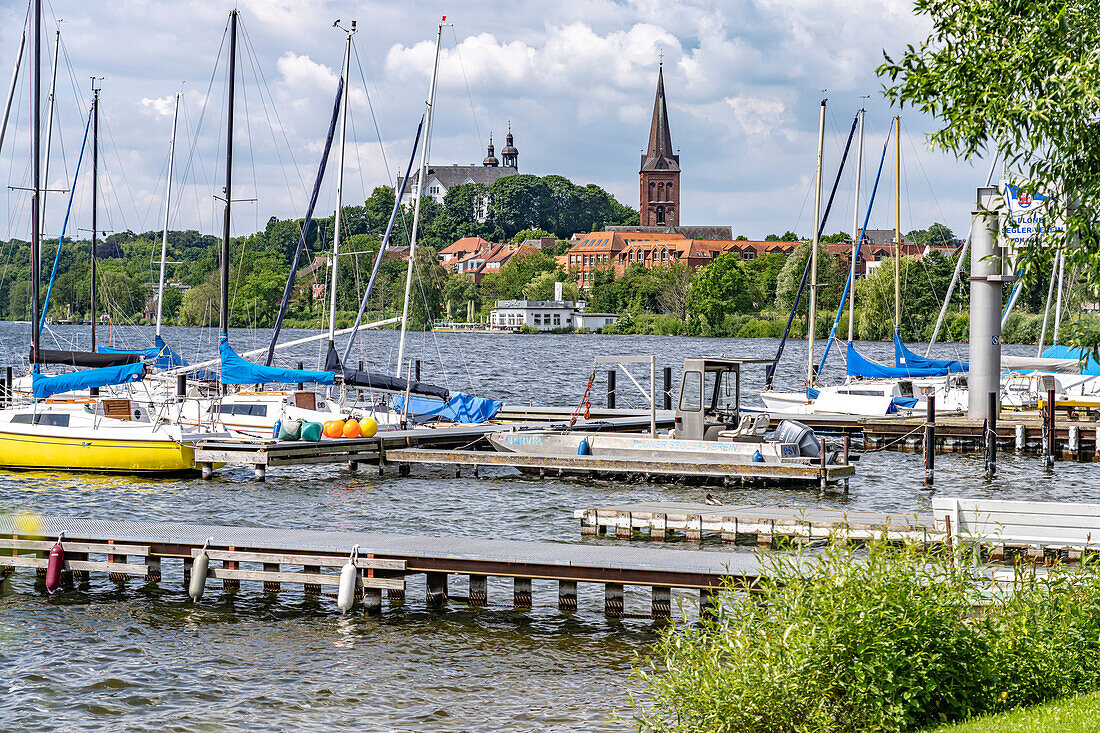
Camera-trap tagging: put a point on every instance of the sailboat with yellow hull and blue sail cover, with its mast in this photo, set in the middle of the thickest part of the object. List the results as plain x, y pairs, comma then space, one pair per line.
84, 434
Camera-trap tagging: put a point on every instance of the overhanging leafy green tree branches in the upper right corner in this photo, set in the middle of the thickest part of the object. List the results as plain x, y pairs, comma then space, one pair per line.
1040, 59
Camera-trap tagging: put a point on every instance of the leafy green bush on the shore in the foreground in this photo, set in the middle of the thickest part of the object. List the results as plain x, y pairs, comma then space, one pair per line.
886, 642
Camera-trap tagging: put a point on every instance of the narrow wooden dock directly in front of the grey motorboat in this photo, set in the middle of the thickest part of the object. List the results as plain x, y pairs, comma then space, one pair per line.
593, 467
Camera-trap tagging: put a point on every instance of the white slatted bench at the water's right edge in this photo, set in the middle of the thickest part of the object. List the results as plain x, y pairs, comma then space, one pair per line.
1038, 526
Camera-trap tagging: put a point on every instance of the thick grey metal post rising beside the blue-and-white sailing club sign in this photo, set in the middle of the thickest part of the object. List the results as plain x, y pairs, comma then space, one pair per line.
986, 281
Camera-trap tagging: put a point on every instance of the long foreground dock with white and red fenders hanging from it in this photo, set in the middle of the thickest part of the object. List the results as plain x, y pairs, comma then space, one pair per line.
278, 559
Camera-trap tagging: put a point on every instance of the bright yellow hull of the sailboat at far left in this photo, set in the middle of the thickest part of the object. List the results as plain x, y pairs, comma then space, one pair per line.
108, 456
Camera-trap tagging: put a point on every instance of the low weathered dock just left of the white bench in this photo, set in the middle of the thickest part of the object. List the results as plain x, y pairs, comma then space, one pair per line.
758, 526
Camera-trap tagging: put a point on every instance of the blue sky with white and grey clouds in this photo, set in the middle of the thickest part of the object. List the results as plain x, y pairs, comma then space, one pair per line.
576, 80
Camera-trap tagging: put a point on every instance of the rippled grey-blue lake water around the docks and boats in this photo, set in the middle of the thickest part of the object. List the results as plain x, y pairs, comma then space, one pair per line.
113, 657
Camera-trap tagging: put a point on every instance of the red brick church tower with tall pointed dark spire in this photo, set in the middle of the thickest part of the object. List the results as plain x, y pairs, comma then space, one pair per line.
659, 201
